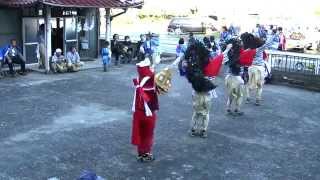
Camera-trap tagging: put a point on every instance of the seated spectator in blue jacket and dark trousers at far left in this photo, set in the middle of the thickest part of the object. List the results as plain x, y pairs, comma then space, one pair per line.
12, 54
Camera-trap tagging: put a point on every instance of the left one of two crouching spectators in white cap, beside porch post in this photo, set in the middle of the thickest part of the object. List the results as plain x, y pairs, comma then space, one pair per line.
58, 62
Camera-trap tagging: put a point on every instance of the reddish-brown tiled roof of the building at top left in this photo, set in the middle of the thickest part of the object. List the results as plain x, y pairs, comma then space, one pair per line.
74, 3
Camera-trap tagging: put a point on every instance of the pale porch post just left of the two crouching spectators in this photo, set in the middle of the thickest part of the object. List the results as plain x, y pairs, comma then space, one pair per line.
48, 37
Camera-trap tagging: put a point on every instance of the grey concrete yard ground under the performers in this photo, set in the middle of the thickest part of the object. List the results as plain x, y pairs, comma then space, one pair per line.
59, 125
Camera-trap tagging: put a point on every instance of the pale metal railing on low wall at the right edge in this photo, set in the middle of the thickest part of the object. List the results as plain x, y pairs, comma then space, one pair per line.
295, 63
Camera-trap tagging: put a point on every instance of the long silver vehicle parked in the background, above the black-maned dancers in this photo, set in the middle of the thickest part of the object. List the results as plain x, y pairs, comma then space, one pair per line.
185, 24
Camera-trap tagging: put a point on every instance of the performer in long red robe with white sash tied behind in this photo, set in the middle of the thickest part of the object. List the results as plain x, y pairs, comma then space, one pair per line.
145, 105
